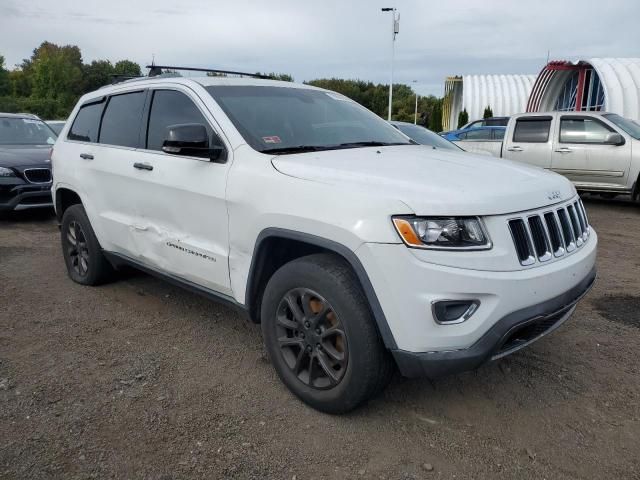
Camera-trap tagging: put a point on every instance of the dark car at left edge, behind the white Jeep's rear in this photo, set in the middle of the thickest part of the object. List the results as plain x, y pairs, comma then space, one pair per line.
25, 167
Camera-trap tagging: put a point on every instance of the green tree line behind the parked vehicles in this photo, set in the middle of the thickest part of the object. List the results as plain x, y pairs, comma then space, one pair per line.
51, 81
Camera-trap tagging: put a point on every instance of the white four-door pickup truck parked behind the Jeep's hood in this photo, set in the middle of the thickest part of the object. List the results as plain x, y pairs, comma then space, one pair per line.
597, 151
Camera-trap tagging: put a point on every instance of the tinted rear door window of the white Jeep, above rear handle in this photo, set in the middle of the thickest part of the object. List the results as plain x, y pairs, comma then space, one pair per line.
121, 120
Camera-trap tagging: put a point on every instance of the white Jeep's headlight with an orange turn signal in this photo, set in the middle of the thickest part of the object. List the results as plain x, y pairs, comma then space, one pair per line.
464, 233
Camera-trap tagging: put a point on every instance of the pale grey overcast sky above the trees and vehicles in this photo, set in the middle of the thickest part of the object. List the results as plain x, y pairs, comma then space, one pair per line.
329, 38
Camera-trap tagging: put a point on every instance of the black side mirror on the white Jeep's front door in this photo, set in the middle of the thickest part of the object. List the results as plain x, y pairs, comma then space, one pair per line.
192, 140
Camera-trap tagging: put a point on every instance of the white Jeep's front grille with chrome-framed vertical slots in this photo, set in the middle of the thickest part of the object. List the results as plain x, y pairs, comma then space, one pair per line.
542, 236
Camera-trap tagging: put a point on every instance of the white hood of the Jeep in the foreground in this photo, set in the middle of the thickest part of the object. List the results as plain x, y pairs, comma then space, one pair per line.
431, 181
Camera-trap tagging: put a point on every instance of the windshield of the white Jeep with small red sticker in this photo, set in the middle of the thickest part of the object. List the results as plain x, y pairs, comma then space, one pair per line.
282, 120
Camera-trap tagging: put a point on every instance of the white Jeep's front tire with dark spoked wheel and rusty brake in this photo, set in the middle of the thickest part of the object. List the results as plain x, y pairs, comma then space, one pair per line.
328, 353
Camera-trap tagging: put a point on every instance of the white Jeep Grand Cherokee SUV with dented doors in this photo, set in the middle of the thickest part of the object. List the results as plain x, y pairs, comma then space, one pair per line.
356, 249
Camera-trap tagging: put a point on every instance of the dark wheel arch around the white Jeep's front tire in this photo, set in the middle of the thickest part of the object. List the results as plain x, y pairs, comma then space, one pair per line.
276, 246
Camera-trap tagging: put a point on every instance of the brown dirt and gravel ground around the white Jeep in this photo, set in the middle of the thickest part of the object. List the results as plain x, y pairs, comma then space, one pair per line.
139, 379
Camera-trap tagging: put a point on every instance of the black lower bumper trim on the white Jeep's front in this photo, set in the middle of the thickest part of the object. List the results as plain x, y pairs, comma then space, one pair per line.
506, 336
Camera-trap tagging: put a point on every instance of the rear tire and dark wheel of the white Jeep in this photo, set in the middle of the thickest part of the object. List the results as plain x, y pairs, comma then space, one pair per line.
82, 253
